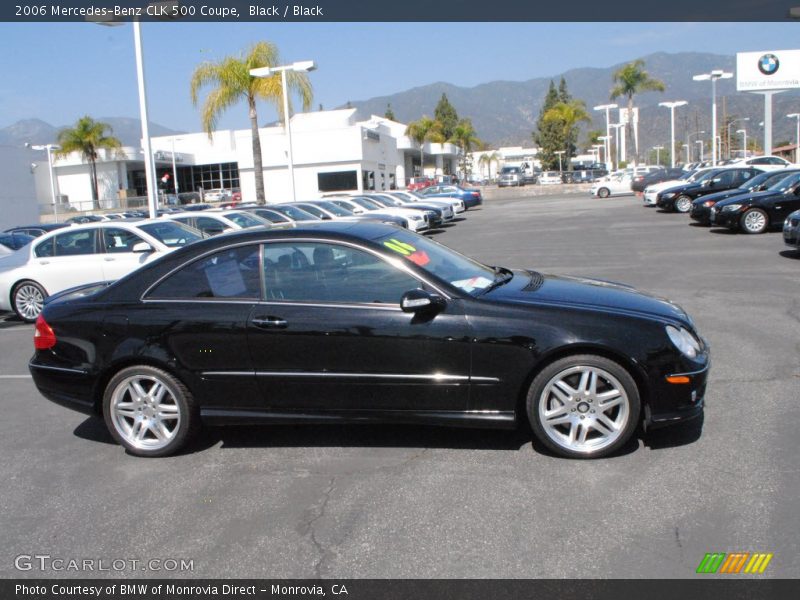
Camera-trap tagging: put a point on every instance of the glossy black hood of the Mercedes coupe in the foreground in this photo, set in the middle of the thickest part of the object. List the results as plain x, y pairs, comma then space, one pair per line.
530, 287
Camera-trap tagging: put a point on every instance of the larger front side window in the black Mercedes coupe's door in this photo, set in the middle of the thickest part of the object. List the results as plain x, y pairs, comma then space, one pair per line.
320, 272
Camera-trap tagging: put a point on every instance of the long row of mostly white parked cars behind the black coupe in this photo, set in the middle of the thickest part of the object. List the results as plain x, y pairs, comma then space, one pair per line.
65, 255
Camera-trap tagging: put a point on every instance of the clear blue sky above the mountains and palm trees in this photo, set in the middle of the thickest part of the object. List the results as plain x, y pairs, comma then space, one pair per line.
59, 72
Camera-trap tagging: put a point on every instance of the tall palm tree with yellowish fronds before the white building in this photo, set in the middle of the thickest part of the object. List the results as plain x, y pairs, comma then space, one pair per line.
232, 82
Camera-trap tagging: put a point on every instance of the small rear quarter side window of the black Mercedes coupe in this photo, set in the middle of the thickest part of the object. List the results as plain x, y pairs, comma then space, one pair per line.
232, 273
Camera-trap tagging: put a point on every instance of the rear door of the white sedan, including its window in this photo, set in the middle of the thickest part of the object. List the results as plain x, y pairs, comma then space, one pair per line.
67, 259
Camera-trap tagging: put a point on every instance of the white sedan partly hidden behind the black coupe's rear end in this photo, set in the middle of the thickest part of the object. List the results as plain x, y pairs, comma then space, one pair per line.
82, 254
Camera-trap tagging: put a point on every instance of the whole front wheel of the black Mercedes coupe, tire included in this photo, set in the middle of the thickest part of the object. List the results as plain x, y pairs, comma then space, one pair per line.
562, 408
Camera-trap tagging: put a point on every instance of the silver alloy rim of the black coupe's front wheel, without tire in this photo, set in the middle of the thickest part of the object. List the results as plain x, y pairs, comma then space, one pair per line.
584, 409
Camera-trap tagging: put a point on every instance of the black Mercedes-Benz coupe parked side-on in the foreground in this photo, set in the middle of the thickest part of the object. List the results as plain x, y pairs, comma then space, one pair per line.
362, 322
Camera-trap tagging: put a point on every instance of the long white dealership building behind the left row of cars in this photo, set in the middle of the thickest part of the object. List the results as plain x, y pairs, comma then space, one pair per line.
332, 151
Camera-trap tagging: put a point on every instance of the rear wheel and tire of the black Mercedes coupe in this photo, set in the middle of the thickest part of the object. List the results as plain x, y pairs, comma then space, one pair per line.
149, 412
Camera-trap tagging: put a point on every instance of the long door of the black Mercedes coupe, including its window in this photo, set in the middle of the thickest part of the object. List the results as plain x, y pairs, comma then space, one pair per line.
331, 335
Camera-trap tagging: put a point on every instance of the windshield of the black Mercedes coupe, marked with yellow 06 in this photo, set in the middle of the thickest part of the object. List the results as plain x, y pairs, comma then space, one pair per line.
446, 264
